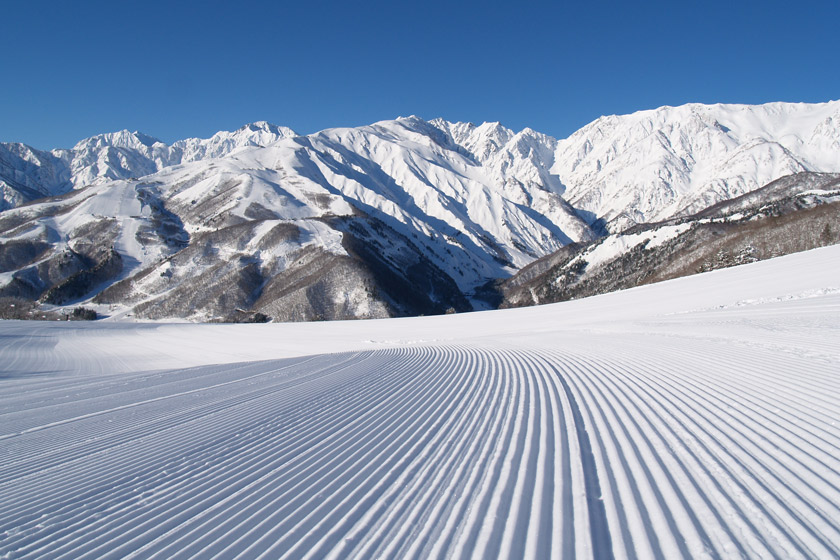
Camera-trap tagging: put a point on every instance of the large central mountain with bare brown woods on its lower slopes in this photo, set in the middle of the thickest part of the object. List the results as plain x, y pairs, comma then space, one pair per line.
396, 218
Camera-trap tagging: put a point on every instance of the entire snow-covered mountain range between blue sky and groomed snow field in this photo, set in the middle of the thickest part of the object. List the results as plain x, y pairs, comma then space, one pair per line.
401, 217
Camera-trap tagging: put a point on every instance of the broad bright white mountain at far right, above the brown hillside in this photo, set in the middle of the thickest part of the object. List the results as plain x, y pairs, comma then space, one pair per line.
652, 165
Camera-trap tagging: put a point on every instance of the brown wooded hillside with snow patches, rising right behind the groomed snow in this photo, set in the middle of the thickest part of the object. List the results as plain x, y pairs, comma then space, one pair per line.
792, 214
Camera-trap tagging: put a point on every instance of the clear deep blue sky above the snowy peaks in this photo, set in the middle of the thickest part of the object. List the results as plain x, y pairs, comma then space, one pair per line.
70, 70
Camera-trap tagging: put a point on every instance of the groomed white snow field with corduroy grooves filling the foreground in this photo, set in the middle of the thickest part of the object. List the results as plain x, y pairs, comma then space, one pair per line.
695, 418
